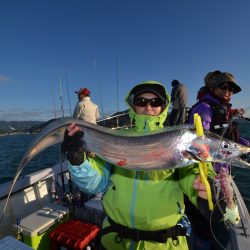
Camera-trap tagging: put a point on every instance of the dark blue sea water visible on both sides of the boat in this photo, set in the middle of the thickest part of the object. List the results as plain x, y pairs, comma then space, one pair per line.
13, 147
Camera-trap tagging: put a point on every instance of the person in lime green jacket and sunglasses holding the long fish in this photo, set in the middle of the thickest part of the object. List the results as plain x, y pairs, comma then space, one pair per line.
145, 209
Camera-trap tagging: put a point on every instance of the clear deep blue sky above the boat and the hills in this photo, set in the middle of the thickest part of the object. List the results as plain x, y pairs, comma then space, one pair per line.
110, 45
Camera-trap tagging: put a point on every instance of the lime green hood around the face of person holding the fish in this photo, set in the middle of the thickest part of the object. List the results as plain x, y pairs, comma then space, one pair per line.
148, 122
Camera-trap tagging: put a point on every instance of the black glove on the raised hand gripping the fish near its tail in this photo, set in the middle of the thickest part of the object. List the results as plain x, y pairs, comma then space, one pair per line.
73, 147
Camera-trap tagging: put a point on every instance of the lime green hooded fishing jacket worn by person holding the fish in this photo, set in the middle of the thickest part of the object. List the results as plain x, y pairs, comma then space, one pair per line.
145, 200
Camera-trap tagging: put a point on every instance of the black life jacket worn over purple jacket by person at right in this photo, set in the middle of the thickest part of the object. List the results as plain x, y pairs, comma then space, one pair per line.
221, 121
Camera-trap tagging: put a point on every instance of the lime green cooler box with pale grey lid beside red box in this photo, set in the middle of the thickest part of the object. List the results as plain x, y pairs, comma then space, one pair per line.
36, 226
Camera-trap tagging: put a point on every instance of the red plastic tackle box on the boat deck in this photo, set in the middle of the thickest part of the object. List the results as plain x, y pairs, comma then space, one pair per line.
73, 234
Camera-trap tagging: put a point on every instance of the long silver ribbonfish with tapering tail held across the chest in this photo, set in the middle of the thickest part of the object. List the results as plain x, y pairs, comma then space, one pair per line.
172, 147
